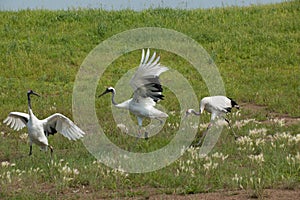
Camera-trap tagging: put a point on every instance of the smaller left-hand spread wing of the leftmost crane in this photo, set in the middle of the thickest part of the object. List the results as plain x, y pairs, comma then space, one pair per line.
16, 120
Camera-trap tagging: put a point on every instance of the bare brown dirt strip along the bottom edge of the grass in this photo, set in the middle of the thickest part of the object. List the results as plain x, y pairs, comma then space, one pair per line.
155, 194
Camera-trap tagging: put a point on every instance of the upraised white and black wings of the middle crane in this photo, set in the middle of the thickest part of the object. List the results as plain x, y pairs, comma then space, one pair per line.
145, 82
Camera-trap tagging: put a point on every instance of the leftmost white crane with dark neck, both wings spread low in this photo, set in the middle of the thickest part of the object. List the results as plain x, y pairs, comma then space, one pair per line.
39, 130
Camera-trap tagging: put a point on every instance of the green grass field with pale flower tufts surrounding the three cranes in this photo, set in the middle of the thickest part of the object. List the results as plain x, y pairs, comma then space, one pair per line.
257, 51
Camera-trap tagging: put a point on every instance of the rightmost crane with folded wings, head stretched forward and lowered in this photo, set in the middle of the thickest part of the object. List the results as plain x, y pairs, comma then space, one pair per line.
218, 106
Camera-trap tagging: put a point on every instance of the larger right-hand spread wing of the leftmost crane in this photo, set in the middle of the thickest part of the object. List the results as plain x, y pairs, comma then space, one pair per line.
60, 123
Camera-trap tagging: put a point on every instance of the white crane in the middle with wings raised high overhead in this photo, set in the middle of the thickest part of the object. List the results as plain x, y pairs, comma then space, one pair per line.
147, 90
